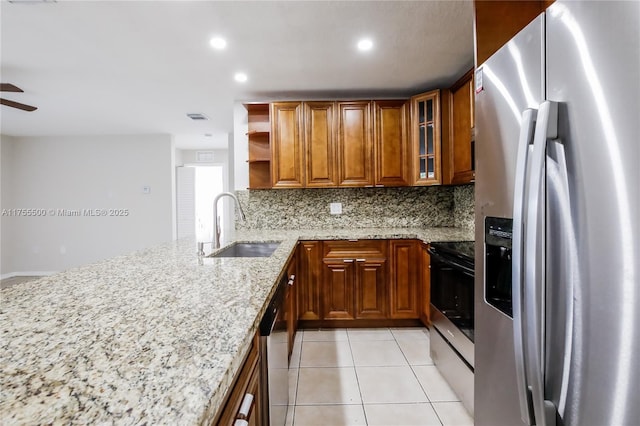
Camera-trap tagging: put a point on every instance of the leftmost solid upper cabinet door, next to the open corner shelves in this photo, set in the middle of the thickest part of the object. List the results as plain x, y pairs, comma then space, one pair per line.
286, 146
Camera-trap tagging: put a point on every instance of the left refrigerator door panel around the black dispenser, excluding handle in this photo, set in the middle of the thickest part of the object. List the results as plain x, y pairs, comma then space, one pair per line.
512, 82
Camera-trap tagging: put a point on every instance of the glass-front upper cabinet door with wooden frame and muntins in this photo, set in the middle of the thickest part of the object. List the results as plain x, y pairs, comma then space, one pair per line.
425, 111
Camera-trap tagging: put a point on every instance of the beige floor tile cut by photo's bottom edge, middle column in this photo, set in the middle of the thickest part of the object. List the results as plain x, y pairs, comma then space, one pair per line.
401, 414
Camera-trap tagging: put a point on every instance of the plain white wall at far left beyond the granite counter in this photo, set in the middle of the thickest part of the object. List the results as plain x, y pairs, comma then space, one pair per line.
76, 173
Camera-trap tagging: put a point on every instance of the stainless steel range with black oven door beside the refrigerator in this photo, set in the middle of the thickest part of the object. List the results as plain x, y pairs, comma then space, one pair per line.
452, 299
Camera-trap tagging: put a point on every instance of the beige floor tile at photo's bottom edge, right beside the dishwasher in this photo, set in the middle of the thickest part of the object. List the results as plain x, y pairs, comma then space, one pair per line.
325, 415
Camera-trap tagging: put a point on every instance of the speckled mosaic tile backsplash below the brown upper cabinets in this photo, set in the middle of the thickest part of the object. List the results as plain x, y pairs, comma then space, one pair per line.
361, 208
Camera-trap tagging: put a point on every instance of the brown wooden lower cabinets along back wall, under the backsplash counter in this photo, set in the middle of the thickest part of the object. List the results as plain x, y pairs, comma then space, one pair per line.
345, 283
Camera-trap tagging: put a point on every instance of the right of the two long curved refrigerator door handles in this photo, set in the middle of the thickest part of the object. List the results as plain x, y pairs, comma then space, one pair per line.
534, 271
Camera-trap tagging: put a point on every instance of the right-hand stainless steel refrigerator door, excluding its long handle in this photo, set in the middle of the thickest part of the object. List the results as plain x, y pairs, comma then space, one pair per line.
593, 251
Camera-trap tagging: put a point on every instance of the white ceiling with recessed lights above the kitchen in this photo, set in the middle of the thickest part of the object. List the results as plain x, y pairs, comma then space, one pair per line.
132, 67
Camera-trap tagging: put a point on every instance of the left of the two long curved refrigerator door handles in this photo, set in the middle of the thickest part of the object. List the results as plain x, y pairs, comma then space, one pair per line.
525, 141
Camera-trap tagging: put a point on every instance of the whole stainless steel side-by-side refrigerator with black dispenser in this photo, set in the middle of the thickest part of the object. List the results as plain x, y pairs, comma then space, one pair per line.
557, 287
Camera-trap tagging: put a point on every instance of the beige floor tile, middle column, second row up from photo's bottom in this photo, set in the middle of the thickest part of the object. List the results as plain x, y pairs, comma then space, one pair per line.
379, 385
